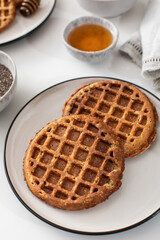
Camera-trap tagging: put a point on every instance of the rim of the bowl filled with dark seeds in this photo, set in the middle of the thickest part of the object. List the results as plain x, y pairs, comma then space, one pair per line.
14, 76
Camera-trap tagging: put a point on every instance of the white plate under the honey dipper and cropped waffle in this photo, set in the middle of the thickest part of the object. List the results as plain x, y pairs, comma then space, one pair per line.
21, 26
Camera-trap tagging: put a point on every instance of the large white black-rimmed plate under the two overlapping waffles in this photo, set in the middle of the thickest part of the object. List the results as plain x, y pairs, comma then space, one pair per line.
136, 201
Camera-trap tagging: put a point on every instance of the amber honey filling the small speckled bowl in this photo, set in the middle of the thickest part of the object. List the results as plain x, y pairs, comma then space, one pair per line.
90, 37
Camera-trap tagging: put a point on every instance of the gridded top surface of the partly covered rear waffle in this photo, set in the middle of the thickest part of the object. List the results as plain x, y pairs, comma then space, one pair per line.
116, 104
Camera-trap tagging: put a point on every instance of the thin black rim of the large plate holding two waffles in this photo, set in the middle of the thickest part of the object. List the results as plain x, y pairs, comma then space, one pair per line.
30, 209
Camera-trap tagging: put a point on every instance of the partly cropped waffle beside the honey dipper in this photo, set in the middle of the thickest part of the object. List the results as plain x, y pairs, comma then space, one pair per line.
7, 13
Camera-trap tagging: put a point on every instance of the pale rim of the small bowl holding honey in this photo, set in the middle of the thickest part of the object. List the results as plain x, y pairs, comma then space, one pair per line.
115, 37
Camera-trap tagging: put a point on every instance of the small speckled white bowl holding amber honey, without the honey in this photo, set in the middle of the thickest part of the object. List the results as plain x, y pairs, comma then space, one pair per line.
90, 56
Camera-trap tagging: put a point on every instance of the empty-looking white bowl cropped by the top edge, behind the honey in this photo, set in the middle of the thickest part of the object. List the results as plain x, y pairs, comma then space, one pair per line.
107, 8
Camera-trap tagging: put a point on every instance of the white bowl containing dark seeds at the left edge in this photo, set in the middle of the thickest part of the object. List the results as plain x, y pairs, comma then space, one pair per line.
6, 60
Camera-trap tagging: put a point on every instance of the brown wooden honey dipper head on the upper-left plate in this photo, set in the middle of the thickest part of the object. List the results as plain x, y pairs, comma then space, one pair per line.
28, 7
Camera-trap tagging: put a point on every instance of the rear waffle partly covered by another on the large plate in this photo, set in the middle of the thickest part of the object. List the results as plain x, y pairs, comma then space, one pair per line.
123, 107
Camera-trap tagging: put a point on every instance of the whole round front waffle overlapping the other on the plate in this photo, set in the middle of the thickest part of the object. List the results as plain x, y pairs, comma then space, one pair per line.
74, 163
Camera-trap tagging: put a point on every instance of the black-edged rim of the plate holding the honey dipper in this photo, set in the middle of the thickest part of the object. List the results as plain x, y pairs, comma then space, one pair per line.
31, 31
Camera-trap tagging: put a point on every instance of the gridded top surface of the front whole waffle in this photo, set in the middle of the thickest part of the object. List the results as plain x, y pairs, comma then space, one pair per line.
67, 170
